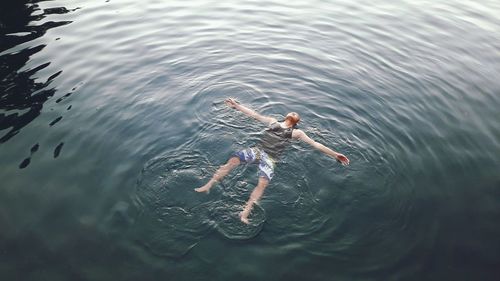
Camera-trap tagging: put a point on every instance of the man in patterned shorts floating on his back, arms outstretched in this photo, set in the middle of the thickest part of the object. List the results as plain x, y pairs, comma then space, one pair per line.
273, 142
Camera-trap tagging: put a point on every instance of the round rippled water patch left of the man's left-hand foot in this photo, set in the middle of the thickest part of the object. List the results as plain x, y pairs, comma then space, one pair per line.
171, 216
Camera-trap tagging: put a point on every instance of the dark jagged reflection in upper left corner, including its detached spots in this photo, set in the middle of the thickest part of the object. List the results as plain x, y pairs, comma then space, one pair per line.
22, 94
